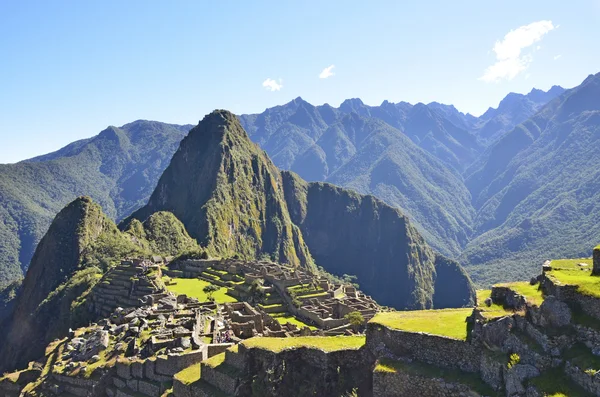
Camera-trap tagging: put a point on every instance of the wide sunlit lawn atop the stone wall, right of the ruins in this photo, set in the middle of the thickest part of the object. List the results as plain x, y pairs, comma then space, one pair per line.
445, 322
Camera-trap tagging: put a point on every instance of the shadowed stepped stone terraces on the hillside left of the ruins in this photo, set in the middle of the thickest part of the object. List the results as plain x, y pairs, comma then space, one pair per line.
123, 286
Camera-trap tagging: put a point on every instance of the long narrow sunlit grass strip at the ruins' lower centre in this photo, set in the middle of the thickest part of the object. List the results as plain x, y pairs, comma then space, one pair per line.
326, 343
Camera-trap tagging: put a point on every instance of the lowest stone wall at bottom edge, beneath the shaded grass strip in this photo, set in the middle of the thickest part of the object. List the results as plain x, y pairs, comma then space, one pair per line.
401, 384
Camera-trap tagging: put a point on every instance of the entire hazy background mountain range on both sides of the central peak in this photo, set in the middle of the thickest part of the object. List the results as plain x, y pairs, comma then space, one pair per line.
476, 188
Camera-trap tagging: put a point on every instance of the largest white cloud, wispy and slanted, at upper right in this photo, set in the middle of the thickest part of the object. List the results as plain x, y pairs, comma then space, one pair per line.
510, 61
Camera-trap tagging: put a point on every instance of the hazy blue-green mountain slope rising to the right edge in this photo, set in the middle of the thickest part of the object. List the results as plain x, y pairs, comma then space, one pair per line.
542, 199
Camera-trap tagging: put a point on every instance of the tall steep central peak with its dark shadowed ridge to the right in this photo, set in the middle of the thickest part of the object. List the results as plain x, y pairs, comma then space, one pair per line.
234, 201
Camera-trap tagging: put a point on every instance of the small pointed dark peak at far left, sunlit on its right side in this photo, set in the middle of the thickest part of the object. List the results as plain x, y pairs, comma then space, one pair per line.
79, 245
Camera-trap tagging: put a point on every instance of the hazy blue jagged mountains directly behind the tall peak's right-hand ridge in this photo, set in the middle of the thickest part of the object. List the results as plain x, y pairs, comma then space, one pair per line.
357, 146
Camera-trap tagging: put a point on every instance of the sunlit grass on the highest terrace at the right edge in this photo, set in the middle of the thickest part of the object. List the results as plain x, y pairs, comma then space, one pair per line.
566, 271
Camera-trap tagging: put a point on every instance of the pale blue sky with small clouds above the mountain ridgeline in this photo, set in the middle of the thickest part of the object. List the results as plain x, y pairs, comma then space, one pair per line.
68, 69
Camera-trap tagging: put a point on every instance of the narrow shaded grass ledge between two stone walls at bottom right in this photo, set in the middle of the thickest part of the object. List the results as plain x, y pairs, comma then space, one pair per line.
449, 375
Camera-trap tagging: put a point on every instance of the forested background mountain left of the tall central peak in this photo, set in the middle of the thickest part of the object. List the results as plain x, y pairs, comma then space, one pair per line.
118, 168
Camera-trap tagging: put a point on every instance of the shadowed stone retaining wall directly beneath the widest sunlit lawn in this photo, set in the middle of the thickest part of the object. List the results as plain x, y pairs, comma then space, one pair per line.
430, 349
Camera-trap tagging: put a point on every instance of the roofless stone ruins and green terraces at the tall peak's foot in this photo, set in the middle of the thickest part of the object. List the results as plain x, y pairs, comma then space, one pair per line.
312, 299
